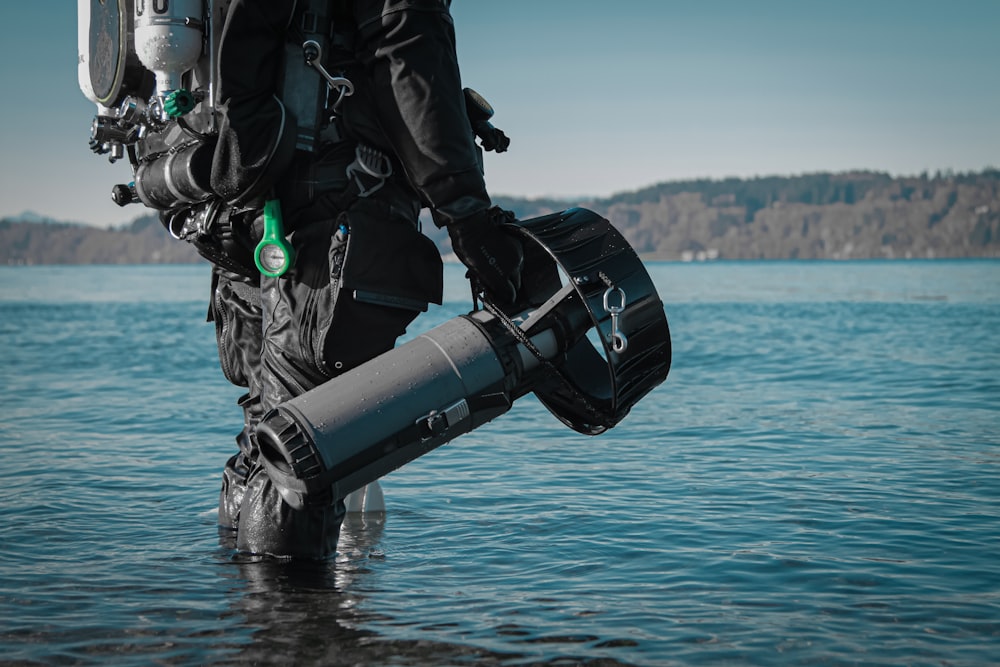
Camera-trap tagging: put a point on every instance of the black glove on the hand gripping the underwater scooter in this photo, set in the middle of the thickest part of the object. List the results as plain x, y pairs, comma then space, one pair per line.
492, 254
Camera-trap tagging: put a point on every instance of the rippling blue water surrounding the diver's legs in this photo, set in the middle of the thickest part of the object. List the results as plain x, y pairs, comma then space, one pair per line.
817, 482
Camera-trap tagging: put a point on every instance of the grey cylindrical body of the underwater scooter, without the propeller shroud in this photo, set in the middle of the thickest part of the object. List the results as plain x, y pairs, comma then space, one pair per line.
352, 430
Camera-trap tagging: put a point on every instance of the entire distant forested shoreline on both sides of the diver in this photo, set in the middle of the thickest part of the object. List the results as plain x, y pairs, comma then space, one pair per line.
857, 215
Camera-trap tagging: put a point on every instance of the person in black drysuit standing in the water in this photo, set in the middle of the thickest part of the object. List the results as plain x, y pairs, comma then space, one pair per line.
362, 269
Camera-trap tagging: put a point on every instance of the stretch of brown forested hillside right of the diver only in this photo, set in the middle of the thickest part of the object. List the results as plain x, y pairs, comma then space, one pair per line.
859, 215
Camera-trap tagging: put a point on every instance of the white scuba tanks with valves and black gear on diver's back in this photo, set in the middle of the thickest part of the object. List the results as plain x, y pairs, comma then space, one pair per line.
148, 67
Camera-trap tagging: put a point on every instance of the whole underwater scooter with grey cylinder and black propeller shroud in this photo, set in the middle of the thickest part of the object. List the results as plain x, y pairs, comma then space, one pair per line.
589, 337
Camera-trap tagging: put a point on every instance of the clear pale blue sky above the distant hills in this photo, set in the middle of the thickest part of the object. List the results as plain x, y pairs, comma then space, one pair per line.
605, 97
